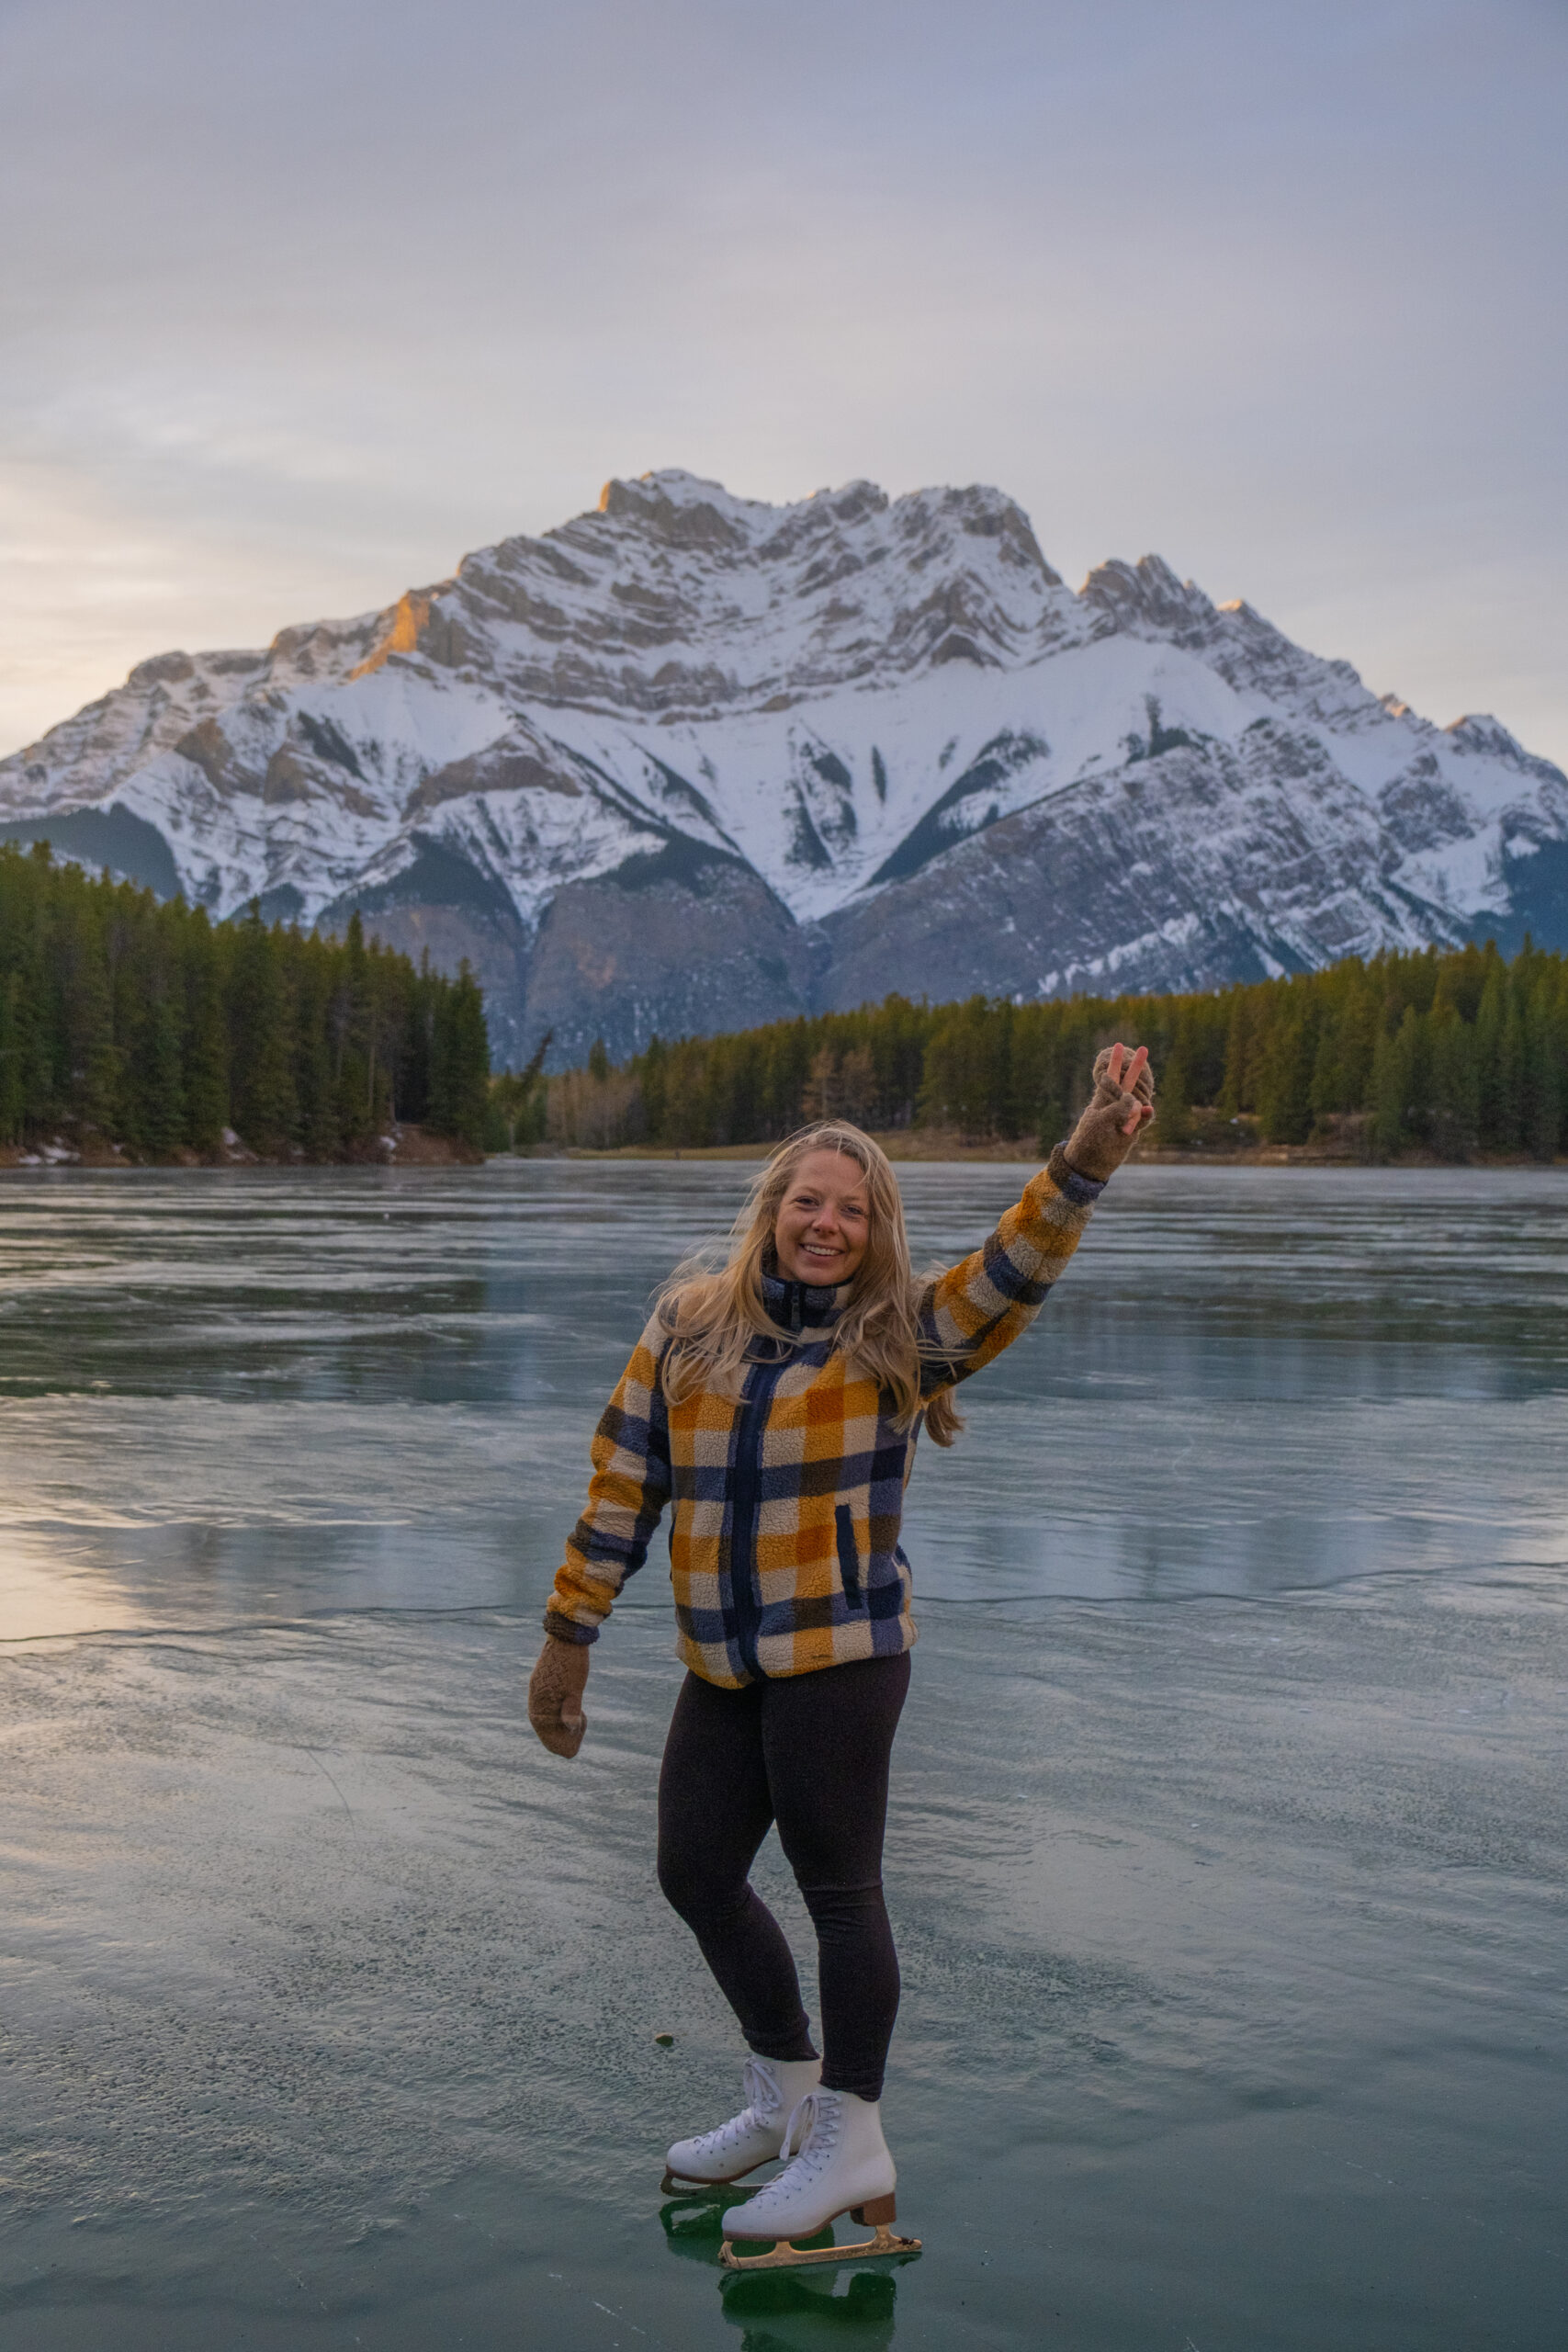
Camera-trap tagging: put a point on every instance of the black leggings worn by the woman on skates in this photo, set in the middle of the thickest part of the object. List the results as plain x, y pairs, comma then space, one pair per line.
810, 1753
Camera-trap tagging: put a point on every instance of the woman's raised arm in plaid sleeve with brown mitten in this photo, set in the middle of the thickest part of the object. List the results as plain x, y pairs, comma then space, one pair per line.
984, 1304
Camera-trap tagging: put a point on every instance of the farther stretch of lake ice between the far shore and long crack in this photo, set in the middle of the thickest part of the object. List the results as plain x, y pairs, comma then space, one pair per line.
1282, 1379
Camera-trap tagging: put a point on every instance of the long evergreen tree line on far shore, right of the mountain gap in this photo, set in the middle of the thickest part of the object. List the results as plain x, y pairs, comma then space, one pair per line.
1445, 1053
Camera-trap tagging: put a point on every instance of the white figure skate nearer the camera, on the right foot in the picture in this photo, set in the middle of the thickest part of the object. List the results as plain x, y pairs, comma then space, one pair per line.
843, 2165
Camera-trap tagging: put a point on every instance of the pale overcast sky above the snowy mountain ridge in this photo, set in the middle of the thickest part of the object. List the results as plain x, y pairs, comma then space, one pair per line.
304, 302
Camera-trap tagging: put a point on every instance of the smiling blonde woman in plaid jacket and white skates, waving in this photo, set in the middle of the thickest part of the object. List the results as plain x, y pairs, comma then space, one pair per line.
777, 1405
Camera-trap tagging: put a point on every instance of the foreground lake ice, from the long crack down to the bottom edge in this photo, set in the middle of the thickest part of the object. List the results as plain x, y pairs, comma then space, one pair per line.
1233, 1991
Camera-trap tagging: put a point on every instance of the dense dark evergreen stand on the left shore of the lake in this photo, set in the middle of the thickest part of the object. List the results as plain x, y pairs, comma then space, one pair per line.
145, 1024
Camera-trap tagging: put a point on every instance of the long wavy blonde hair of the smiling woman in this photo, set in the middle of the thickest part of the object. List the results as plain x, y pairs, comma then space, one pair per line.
716, 1316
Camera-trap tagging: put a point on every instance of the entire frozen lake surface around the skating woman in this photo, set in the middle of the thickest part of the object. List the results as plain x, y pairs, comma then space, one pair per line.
1228, 1850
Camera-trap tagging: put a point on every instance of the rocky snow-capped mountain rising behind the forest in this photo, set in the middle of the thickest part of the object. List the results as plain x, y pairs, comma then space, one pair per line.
695, 761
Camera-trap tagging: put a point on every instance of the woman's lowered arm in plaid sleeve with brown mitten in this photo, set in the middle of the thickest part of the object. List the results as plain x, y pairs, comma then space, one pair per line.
626, 1497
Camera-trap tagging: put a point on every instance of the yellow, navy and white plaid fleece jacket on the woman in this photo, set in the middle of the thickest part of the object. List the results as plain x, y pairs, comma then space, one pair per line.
789, 1499
